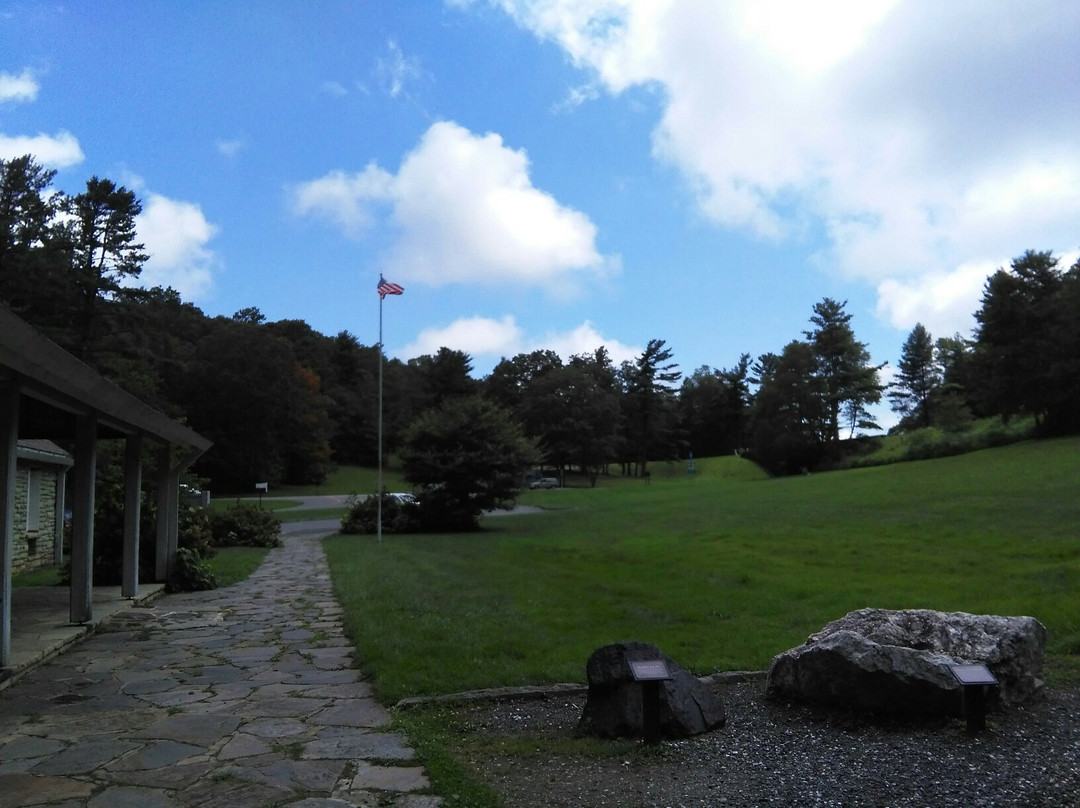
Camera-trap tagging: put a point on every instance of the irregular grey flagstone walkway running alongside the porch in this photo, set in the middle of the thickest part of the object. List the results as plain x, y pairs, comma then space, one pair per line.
238, 698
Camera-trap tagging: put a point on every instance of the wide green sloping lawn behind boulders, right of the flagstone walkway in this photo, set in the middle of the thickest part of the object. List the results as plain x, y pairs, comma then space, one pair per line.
722, 571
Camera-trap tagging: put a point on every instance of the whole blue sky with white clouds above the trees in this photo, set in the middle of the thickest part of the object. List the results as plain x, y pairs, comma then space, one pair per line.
565, 174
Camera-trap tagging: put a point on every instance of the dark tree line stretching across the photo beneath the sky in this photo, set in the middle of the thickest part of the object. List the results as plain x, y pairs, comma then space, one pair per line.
283, 402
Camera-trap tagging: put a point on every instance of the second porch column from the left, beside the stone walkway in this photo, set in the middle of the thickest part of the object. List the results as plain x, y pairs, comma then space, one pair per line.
83, 519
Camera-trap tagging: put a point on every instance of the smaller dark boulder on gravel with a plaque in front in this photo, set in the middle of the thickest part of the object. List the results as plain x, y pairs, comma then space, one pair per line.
614, 706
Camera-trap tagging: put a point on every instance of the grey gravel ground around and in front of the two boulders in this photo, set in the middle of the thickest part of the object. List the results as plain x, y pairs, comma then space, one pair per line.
777, 755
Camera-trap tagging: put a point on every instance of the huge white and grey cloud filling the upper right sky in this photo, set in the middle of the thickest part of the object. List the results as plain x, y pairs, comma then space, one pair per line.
919, 136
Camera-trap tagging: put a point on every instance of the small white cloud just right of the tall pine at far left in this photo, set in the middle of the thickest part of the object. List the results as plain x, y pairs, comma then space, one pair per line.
177, 235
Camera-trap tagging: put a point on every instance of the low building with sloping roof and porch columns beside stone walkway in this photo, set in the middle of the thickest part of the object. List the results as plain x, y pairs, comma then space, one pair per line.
48, 395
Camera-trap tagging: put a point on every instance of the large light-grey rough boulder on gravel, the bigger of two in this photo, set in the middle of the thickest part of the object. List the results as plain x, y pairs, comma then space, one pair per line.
886, 662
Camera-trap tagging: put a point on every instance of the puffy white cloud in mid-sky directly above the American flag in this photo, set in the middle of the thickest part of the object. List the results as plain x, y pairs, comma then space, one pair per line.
465, 211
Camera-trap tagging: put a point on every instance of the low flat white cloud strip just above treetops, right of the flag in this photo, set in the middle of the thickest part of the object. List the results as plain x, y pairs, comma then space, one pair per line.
490, 340
